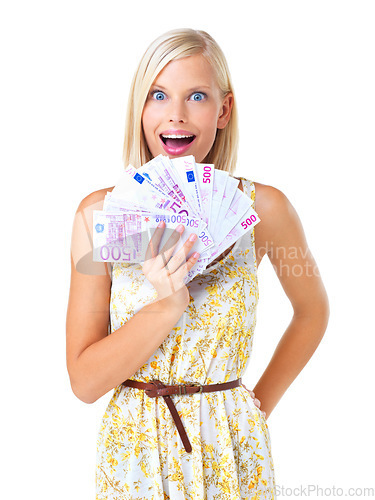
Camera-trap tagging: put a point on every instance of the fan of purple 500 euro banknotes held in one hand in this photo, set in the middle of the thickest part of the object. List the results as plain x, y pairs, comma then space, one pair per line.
205, 200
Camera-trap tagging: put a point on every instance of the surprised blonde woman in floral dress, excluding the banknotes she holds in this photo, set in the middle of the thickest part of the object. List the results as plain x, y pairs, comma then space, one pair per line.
201, 442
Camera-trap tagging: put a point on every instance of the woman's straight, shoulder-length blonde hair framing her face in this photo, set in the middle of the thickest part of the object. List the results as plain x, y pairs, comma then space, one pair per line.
173, 45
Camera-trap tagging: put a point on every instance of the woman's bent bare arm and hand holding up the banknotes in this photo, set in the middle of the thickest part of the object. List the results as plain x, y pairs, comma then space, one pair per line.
98, 362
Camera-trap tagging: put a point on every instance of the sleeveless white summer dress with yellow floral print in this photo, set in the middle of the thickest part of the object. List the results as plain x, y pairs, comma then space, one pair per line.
140, 454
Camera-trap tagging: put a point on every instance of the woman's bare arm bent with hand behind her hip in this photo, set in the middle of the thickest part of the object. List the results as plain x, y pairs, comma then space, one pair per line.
280, 235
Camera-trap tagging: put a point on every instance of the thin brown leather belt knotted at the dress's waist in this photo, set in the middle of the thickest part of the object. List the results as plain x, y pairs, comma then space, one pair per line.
156, 388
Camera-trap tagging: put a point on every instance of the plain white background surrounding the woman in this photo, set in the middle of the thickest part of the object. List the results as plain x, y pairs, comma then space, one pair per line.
304, 79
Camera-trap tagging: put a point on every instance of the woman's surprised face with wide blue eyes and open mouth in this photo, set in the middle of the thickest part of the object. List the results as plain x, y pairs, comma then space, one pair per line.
185, 100
